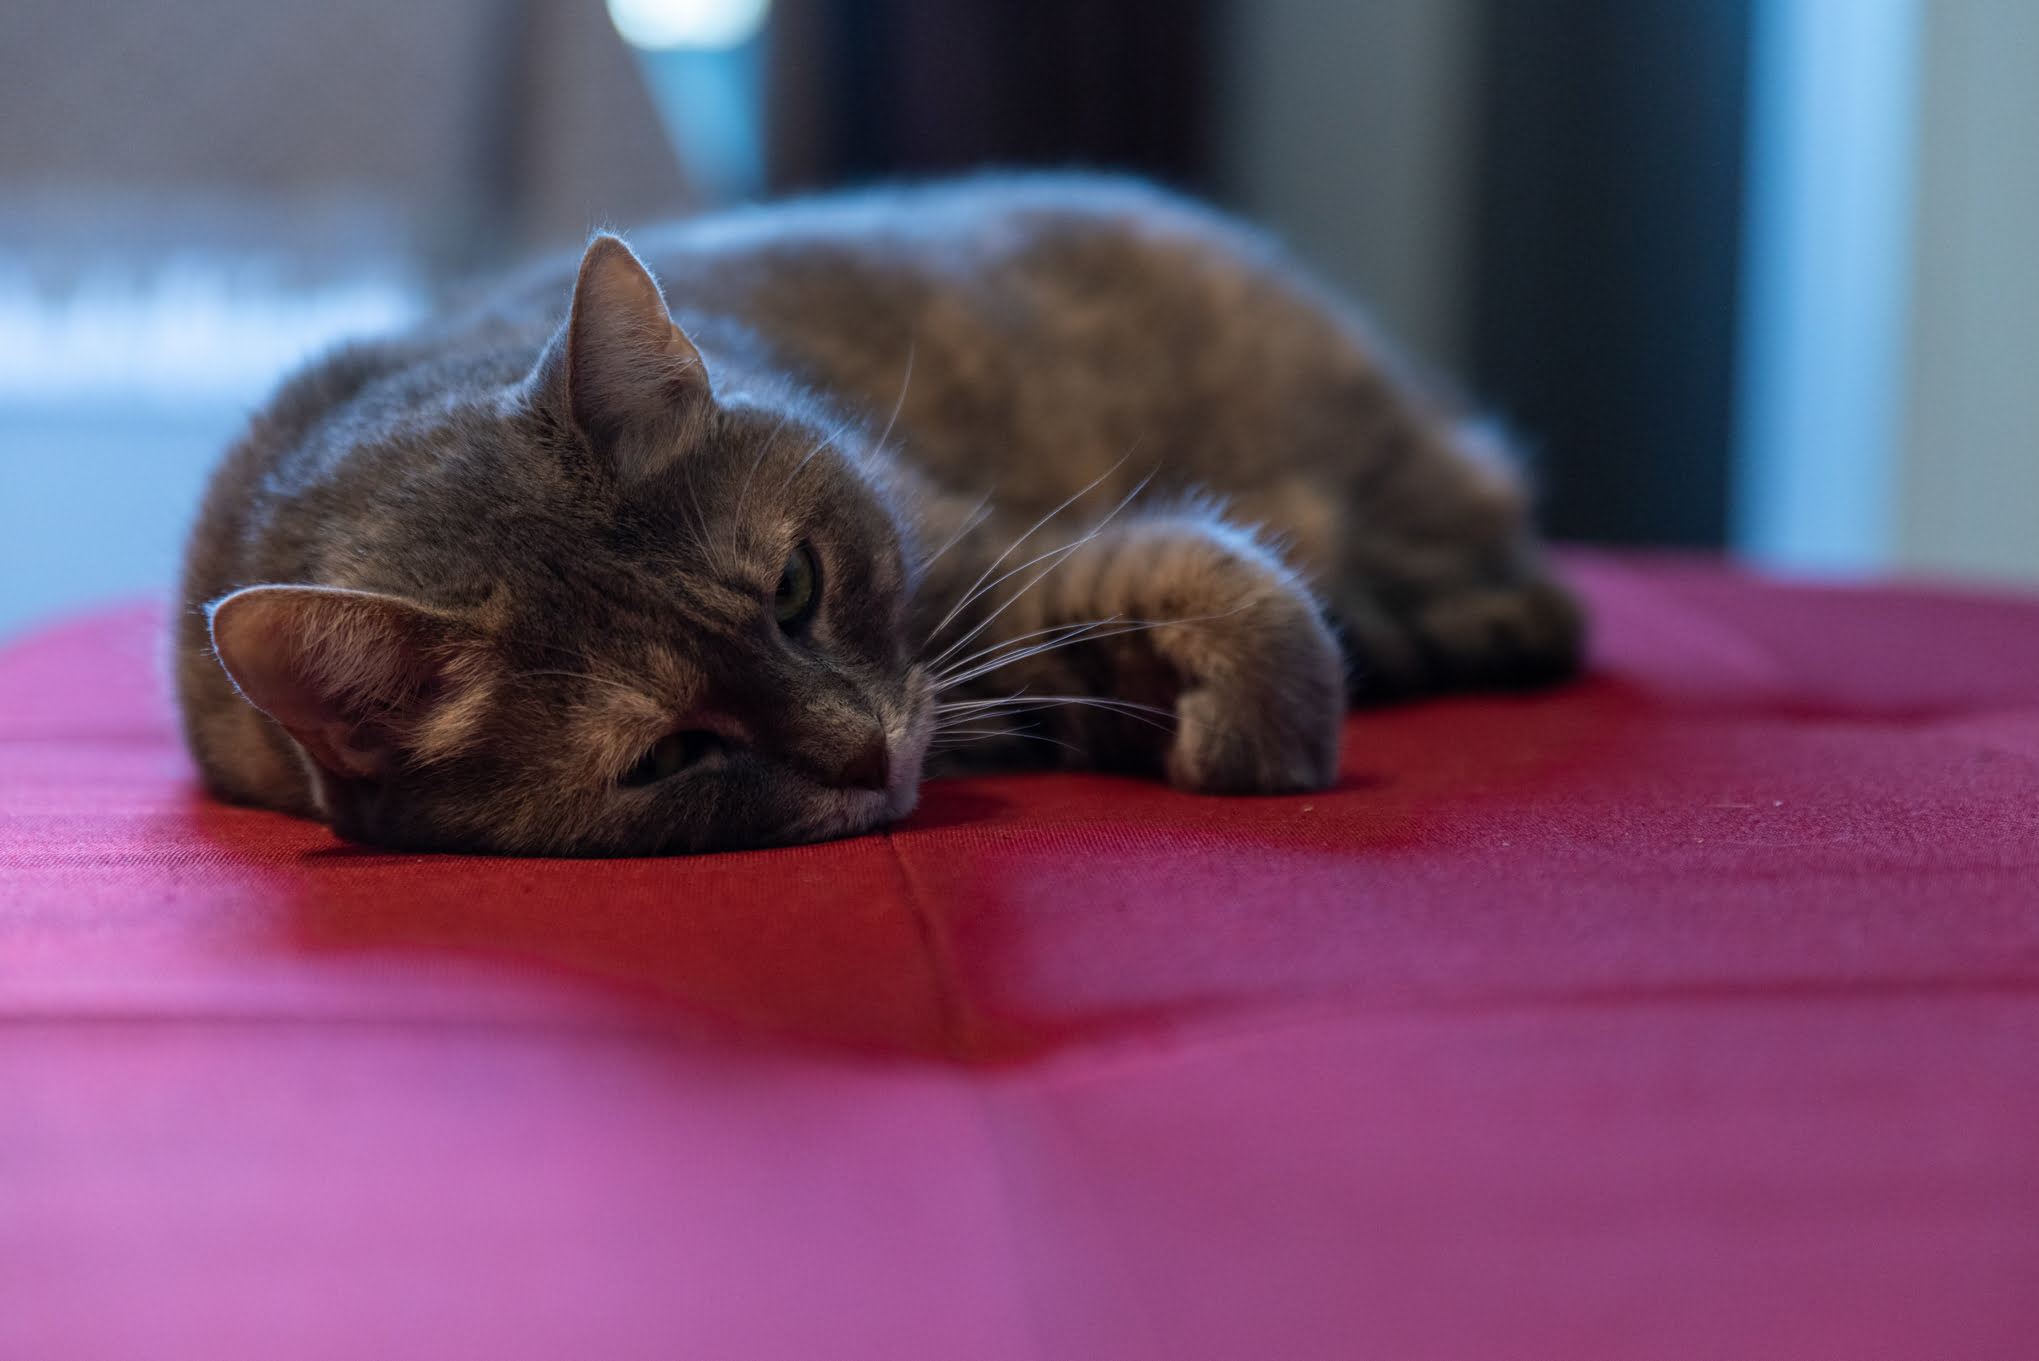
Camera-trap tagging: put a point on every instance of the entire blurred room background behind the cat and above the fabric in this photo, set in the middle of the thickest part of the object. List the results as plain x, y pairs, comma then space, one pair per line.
1748, 276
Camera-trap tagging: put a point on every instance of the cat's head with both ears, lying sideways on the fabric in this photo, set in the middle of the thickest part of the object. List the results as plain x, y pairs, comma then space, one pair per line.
619, 607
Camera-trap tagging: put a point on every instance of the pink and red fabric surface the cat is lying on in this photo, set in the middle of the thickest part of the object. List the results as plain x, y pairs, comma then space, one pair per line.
1685, 1011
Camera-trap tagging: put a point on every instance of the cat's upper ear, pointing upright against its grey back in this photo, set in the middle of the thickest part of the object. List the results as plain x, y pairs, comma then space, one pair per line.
621, 370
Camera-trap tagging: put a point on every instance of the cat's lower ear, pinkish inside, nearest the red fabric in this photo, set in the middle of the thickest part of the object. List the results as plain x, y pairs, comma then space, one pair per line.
354, 676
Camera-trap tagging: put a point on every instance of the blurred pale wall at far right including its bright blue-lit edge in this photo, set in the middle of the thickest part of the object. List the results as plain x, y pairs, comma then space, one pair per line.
1891, 313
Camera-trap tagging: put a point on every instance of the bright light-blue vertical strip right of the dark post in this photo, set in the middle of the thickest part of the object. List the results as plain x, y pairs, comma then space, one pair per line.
1826, 283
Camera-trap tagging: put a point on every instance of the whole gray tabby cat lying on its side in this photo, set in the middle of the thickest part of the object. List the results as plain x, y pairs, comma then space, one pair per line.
1018, 470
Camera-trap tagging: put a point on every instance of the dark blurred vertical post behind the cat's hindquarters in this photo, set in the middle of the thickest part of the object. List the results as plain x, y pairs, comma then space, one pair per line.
1610, 238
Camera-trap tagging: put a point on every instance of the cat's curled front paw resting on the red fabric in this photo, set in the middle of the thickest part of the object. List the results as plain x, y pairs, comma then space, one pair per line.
1261, 685
